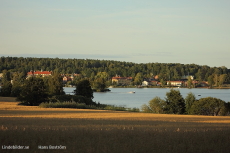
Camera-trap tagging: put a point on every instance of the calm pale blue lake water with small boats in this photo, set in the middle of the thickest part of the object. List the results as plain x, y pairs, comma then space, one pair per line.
122, 97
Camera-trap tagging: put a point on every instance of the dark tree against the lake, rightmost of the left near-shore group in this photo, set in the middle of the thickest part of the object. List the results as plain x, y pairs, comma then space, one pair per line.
83, 88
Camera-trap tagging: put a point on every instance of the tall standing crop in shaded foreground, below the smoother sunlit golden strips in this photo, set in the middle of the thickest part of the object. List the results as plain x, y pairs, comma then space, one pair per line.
114, 136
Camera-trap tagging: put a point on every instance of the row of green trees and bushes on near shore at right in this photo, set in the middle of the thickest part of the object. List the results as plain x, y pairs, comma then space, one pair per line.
174, 103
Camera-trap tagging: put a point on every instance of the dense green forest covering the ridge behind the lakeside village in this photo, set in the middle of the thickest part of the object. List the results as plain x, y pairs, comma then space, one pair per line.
90, 67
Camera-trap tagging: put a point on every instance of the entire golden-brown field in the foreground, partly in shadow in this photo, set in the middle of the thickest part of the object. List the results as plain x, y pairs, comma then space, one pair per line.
97, 131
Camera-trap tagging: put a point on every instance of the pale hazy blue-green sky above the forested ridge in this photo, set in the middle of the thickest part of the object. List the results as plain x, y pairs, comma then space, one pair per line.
146, 31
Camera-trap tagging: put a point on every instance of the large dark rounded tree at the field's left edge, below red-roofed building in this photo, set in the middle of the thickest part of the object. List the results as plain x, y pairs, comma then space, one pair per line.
33, 92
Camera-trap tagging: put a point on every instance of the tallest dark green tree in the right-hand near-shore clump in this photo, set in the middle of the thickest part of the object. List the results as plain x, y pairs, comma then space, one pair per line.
175, 102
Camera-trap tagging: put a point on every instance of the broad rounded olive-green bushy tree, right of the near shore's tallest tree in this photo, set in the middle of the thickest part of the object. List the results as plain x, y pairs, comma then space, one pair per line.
208, 106
